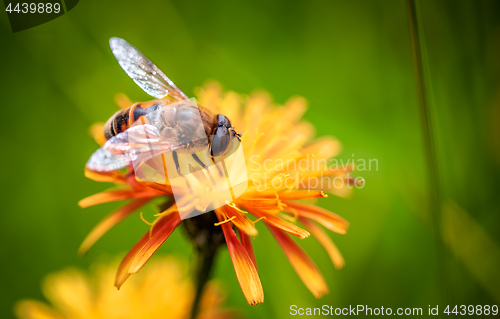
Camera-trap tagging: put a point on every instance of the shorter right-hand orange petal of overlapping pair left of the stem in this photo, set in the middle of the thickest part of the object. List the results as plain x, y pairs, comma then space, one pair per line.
161, 232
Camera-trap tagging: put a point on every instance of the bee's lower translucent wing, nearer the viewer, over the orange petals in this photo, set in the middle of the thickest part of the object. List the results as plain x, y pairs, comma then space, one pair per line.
138, 143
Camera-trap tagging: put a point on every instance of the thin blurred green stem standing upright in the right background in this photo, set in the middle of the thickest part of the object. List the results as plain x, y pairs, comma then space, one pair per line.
435, 191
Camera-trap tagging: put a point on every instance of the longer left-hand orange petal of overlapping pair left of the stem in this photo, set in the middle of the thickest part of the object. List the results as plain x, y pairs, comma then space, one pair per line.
123, 270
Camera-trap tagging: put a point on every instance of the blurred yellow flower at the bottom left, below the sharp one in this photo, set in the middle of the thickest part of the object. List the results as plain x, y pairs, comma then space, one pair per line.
163, 290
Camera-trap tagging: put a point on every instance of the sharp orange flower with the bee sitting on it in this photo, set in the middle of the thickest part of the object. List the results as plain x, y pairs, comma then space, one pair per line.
283, 166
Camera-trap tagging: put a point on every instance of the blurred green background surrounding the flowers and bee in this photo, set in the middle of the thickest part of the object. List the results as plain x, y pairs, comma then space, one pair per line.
351, 59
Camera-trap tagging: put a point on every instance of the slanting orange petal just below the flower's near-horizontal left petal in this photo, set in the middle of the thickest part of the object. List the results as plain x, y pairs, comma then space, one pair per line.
109, 222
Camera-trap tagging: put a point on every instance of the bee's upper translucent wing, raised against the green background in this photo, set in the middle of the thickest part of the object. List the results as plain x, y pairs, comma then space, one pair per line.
144, 73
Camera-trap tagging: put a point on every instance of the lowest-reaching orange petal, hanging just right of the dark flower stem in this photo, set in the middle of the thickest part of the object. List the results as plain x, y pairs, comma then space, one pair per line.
243, 266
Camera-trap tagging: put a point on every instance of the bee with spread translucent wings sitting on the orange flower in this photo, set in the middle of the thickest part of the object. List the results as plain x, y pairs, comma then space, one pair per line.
169, 124
